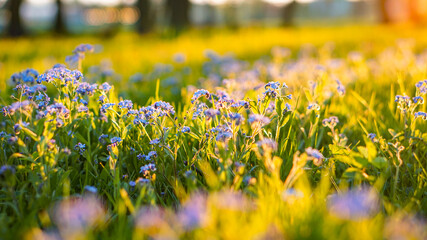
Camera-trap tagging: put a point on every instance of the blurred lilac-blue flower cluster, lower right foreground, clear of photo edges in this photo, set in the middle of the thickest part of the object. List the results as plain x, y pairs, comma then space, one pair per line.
354, 204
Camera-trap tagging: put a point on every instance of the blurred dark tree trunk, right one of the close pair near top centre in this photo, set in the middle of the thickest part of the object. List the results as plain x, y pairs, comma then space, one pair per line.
179, 13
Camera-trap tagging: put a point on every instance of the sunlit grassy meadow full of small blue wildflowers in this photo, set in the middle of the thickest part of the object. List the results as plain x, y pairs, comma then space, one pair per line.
258, 133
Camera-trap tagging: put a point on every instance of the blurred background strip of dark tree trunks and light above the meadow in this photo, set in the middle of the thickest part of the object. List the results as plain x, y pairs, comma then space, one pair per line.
28, 17
